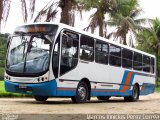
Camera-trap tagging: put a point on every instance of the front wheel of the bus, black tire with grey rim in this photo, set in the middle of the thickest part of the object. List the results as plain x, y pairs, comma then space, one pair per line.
81, 93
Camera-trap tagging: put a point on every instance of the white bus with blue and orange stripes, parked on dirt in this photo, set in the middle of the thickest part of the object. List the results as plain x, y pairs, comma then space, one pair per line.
47, 60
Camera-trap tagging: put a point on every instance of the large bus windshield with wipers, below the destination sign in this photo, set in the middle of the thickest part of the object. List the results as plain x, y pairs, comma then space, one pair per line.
29, 54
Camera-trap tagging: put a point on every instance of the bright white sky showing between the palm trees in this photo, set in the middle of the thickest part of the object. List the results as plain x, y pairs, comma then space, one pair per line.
150, 10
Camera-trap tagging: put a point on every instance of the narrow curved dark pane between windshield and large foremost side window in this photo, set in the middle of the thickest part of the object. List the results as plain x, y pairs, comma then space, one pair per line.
55, 59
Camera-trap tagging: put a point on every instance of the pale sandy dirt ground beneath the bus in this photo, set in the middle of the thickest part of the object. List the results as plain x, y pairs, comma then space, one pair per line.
146, 105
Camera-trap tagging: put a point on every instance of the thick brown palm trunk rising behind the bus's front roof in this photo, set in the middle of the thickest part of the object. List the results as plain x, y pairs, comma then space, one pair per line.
66, 11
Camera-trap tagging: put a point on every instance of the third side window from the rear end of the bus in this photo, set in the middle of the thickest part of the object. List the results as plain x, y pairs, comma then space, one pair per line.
137, 61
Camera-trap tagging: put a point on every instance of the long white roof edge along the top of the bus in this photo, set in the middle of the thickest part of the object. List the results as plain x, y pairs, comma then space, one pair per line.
64, 26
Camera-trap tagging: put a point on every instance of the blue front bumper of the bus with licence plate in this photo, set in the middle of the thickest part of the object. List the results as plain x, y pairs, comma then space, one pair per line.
41, 89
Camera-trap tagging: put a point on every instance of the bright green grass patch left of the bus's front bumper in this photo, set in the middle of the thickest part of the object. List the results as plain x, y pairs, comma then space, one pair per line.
3, 93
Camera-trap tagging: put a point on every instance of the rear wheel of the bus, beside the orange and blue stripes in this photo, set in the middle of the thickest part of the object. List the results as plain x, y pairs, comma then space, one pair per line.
135, 95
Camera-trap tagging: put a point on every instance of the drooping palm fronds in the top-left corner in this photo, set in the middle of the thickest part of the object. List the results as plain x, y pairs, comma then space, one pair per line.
4, 11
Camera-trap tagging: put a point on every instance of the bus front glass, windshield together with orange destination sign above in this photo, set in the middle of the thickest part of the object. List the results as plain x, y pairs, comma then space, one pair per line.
29, 49
